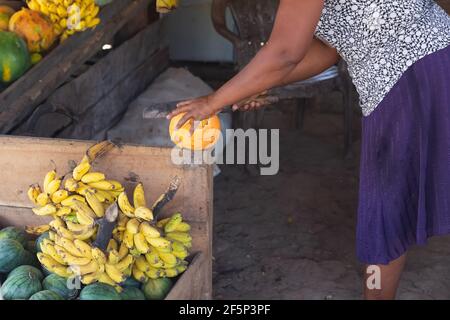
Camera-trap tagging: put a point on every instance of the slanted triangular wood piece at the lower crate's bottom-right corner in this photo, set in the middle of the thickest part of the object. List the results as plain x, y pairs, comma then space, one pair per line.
190, 285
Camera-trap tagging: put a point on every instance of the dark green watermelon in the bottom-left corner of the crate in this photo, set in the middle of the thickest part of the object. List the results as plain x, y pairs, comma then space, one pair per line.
21, 286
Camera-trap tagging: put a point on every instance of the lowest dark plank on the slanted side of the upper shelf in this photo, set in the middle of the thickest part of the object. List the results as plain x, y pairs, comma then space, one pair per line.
109, 110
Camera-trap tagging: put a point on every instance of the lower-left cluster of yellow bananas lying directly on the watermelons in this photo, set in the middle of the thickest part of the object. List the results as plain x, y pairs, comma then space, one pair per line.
67, 255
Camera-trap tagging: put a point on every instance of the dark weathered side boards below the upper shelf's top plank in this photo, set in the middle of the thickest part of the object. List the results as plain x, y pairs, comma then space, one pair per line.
70, 103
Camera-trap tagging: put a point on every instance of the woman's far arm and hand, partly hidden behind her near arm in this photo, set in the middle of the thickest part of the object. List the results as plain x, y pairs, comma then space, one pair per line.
319, 58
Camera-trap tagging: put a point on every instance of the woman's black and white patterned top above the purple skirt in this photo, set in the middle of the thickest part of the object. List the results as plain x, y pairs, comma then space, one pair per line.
381, 39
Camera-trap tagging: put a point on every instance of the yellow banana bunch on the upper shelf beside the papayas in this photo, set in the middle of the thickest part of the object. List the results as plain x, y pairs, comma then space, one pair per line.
68, 16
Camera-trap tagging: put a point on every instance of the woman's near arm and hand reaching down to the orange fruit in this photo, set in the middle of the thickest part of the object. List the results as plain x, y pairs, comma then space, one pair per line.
289, 43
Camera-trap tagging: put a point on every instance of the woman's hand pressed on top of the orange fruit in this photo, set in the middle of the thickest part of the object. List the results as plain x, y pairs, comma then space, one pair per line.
196, 109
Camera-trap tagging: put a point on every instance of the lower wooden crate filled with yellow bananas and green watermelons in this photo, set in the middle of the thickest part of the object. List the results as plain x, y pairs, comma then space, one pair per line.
157, 239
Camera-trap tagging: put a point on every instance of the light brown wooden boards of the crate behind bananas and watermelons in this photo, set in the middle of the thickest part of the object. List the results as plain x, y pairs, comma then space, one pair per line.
24, 161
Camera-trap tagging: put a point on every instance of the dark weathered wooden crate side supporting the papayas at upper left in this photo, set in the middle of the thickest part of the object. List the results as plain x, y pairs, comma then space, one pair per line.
79, 90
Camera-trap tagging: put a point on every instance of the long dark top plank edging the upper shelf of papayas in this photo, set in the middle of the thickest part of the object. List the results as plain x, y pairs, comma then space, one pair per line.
19, 100
